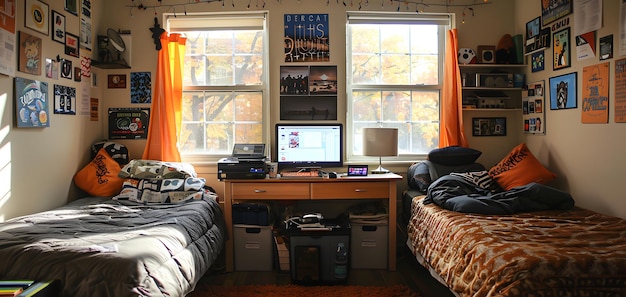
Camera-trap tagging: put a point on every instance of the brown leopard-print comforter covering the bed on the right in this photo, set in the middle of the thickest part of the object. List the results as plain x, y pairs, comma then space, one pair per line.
574, 252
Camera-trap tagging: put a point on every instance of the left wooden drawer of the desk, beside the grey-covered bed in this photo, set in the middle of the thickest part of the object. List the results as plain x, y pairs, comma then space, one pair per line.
270, 191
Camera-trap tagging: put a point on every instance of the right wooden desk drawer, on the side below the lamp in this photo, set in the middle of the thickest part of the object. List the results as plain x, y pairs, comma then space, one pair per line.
349, 190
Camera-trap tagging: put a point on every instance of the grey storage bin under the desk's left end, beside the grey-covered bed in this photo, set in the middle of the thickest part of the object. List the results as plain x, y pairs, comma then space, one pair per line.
253, 247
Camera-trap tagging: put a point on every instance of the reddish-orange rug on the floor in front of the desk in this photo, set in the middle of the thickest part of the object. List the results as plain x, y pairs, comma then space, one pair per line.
294, 290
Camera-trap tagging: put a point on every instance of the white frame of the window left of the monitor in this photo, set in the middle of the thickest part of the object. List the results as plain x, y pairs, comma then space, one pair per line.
226, 20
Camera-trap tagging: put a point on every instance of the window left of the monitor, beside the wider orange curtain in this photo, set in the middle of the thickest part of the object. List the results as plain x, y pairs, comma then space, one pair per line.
224, 84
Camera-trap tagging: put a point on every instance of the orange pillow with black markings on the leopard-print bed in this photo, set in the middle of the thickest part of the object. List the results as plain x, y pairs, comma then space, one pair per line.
519, 168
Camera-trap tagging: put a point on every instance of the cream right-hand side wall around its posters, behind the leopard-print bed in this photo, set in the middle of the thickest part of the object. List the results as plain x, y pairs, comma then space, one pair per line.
588, 158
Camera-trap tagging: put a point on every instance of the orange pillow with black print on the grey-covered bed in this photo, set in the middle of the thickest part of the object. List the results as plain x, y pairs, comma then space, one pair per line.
99, 177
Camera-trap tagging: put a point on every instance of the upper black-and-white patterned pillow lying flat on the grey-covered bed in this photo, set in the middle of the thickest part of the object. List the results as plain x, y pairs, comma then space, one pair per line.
147, 169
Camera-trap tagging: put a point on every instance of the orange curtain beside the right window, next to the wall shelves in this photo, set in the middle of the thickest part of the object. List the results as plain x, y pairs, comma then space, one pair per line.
451, 127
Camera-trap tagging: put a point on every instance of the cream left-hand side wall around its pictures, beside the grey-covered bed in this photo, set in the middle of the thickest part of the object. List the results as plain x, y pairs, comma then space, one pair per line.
37, 164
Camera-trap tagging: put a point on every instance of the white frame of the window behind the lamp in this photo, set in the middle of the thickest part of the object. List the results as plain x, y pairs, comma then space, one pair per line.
445, 21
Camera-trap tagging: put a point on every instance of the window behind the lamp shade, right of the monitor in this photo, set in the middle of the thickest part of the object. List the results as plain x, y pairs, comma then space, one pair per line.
395, 64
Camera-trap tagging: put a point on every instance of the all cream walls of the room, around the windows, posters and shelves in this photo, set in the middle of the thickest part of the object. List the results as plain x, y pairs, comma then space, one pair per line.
41, 162
